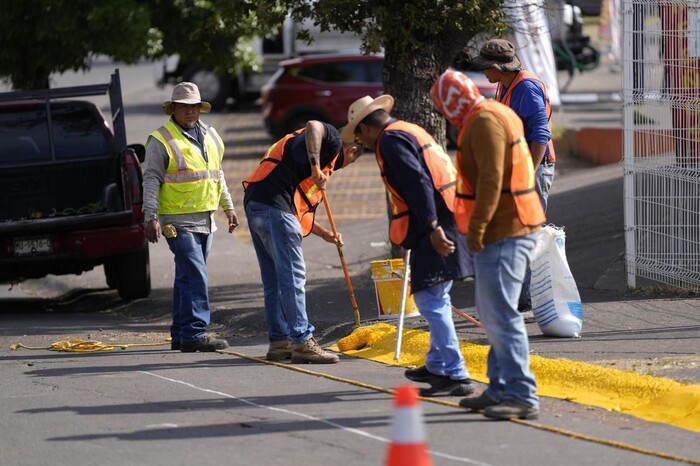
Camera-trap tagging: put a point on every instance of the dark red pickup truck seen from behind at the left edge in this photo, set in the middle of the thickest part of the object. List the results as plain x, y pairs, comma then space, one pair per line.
70, 189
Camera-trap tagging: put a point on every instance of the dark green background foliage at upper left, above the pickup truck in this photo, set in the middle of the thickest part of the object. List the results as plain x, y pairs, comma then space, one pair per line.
40, 37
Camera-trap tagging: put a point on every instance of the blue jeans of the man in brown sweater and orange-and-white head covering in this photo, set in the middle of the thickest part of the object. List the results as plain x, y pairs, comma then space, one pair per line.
500, 268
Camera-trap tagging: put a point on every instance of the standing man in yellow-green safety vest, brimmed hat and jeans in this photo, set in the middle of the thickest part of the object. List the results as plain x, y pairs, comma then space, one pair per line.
183, 185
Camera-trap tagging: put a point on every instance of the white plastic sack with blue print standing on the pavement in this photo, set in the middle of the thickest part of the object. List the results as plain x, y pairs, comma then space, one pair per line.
556, 302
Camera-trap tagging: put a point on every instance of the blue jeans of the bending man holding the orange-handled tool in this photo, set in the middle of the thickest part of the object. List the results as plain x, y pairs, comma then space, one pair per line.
277, 241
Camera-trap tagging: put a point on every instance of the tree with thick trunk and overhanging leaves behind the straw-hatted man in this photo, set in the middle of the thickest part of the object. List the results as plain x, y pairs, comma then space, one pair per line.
419, 38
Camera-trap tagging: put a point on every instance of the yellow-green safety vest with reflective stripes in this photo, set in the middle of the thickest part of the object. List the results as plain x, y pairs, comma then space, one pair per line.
191, 183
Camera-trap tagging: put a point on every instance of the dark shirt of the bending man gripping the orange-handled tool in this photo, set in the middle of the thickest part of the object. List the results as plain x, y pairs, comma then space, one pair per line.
278, 188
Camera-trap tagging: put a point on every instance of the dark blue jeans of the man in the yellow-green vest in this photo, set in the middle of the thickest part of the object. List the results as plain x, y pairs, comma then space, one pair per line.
191, 312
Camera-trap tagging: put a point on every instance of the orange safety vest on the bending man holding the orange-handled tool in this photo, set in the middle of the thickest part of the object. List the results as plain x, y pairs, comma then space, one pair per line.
307, 196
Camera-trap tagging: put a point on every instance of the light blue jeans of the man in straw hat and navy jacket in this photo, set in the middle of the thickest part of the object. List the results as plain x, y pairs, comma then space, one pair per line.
444, 356
